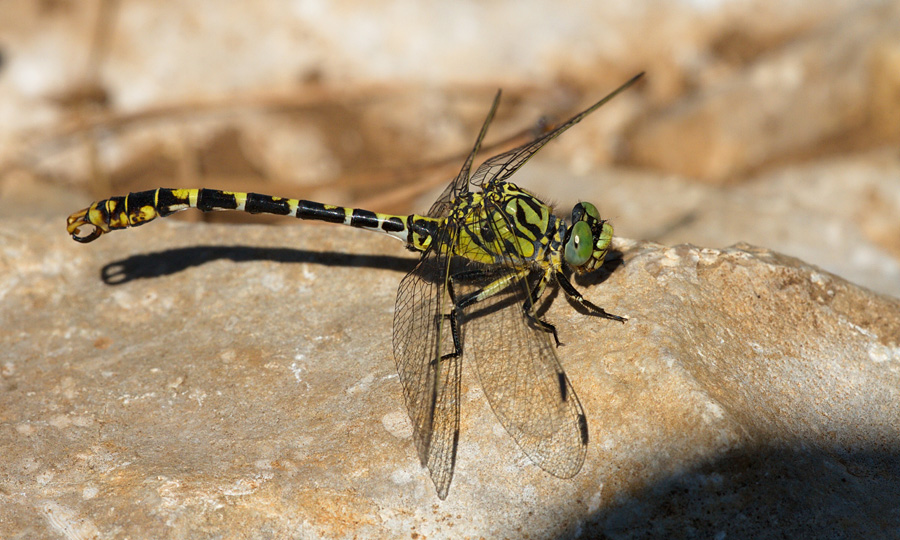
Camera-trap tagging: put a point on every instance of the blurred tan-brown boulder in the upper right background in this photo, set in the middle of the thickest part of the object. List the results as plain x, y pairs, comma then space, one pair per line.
833, 89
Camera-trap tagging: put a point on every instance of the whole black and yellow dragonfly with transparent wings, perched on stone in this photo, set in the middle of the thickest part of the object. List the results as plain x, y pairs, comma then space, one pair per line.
489, 251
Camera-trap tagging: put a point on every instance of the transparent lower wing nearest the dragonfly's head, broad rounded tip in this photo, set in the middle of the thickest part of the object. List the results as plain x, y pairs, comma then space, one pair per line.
517, 364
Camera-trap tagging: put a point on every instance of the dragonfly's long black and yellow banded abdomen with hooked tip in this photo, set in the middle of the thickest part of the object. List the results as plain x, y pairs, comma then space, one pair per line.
141, 207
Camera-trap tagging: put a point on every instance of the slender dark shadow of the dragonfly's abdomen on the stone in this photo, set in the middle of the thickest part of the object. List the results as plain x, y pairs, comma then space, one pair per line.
172, 261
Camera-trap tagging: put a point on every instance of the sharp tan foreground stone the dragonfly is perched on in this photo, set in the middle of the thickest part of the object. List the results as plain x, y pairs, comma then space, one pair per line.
183, 380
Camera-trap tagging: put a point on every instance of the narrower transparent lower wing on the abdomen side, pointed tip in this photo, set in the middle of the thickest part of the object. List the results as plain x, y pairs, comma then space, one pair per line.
430, 385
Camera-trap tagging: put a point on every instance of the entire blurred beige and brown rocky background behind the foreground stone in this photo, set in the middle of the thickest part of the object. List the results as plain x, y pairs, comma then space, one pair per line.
770, 122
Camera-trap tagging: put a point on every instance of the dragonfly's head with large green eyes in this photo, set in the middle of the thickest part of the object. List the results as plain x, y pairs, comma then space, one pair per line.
587, 239
